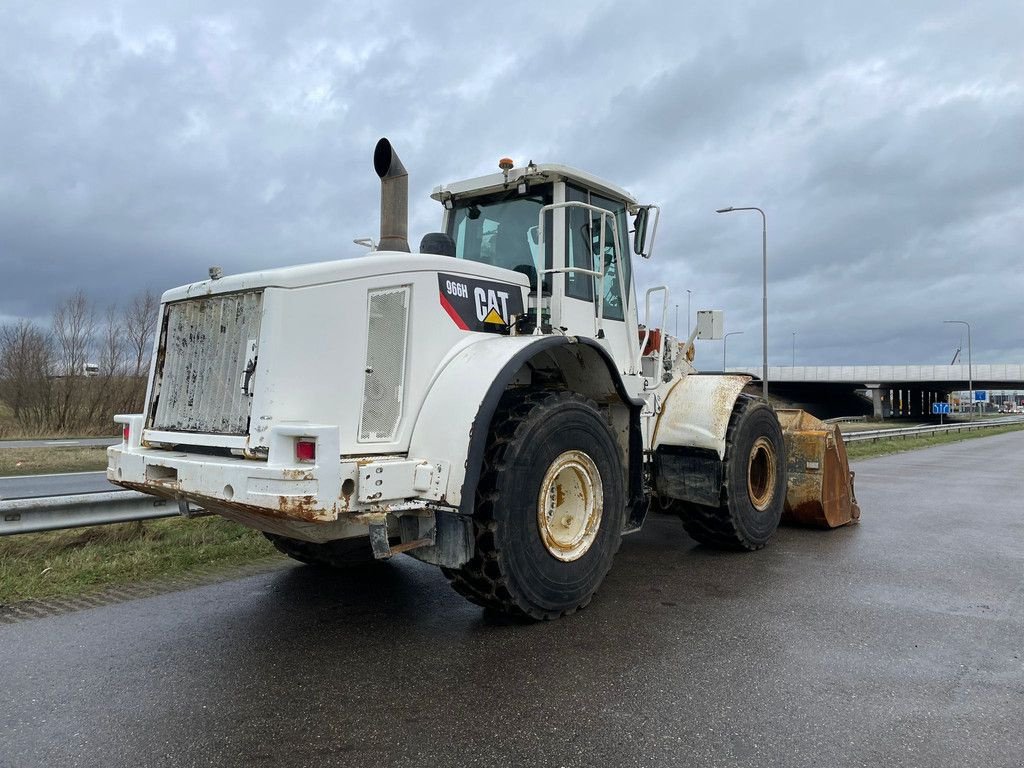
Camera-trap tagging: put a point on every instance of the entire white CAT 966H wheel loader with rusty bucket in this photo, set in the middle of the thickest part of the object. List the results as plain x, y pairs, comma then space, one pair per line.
492, 405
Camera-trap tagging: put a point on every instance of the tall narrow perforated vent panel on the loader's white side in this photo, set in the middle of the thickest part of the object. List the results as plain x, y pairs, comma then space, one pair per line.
386, 372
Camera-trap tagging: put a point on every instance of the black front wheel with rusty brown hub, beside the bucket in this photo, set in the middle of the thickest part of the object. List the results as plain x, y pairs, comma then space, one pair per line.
754, 487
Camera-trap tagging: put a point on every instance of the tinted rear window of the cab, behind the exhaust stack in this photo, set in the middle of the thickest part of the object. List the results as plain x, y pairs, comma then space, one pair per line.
502, 230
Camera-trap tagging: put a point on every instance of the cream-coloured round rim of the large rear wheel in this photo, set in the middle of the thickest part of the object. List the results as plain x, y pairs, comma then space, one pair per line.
570, 506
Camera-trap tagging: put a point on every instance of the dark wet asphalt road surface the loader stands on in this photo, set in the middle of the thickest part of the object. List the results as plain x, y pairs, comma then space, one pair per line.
897, 643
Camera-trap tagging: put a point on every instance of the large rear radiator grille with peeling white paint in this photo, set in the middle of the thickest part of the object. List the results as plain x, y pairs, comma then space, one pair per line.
208, 346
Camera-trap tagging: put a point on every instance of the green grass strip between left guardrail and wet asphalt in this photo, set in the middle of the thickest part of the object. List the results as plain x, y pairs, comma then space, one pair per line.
65, 564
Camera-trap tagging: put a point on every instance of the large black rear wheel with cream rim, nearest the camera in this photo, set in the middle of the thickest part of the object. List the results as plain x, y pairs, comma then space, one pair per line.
514, 570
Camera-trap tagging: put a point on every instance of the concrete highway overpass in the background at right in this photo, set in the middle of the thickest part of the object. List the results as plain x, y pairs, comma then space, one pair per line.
893, 391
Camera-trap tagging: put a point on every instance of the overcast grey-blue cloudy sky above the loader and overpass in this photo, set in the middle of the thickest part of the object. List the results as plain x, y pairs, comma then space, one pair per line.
142, 143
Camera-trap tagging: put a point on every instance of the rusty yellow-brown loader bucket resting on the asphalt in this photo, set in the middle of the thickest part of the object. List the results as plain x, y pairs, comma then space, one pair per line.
821, 485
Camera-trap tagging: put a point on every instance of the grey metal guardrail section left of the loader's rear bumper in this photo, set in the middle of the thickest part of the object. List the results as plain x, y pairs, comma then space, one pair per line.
57, 513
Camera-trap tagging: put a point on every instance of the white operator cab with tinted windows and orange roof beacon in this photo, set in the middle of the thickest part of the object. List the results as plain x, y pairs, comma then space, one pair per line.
583, 265
